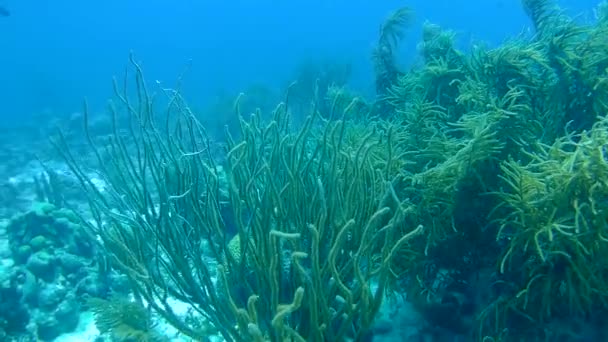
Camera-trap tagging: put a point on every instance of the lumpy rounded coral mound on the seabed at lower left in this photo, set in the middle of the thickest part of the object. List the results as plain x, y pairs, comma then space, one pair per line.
53, 265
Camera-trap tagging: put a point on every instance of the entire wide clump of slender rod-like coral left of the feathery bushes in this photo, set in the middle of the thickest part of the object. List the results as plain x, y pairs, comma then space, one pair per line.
314, 222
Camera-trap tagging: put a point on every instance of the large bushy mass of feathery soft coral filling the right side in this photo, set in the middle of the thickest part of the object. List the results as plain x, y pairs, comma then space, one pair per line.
462, 114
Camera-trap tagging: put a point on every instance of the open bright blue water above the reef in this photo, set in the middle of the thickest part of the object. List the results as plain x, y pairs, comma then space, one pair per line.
55, 53
